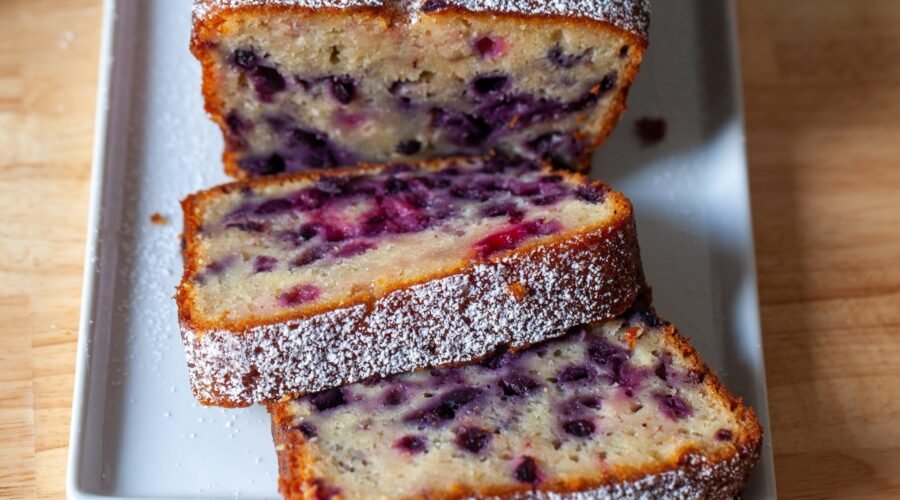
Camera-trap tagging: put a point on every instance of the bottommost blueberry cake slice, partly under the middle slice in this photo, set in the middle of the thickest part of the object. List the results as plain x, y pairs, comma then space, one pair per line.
619, 409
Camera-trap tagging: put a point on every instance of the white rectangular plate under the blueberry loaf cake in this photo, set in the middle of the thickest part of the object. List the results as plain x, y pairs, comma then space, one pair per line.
136, 429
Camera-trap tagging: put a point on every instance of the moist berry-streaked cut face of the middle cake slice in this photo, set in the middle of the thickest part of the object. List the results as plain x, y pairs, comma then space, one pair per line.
295, 245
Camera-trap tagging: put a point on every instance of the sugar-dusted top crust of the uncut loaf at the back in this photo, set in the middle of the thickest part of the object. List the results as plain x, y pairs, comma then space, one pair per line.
629, 15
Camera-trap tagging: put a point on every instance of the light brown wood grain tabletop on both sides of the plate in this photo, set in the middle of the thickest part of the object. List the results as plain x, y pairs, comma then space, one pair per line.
822, 89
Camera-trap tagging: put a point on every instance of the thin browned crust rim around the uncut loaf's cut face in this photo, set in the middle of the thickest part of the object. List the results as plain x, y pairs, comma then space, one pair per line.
208, 29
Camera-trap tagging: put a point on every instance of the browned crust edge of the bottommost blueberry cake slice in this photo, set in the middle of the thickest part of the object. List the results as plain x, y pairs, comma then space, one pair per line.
687, 473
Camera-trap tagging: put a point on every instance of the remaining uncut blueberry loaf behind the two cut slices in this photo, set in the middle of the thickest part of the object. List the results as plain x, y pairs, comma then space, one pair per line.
299, 84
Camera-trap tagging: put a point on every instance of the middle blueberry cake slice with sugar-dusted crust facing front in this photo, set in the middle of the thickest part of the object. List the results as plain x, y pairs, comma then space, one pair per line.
297, 283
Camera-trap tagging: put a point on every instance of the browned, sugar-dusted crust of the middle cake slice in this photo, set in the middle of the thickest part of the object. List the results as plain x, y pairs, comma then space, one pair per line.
520, 297
